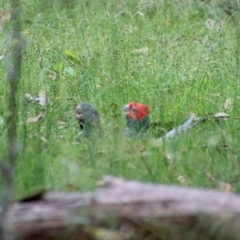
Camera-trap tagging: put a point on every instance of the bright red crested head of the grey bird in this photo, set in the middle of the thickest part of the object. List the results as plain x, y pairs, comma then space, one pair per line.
136, 111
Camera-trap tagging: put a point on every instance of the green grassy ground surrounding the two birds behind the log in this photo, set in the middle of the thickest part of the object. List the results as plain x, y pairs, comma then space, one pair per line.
162, 53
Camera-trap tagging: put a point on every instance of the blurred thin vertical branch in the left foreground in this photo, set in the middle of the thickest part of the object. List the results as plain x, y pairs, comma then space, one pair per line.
13, 61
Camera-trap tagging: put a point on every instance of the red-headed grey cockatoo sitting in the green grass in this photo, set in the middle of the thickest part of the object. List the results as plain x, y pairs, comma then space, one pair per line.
138, 120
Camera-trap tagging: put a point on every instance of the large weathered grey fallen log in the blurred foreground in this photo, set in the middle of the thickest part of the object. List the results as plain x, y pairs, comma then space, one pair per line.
128, 210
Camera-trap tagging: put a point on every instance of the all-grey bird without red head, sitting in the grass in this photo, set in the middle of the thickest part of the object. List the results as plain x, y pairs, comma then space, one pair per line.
88, 118
